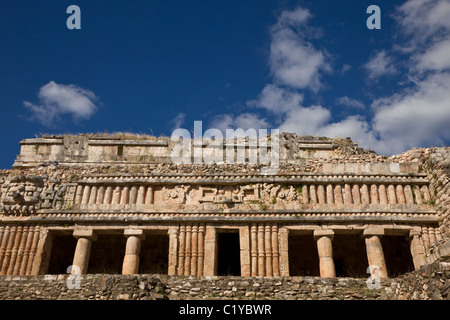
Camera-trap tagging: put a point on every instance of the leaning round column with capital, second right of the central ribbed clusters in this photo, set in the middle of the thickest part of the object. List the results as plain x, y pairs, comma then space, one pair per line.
375, 254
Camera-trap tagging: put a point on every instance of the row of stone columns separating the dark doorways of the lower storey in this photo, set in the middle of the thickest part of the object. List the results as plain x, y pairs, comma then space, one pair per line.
263, 250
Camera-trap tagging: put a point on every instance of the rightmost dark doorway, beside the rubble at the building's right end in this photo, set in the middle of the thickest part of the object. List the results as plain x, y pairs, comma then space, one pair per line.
397, 255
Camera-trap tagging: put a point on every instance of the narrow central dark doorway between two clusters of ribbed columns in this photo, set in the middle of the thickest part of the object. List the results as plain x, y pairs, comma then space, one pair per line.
228, 254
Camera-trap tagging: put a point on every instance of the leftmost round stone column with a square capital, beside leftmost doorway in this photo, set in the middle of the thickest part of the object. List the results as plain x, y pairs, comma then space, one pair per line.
83, 249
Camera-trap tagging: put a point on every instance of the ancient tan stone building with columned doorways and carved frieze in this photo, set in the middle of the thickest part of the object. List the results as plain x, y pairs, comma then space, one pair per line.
118, 204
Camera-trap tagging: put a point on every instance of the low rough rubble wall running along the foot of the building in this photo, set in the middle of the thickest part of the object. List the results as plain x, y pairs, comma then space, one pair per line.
431, 282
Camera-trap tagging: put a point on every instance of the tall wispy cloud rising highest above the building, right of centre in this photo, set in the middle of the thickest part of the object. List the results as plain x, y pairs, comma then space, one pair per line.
293, 59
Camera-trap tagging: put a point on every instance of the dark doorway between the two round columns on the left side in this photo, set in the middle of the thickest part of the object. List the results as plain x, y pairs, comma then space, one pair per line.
107, 254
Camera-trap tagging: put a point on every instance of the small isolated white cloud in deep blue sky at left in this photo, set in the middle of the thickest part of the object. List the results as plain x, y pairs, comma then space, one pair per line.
59, 99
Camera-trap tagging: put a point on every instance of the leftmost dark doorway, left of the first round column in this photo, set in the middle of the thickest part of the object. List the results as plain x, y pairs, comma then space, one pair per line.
61, 257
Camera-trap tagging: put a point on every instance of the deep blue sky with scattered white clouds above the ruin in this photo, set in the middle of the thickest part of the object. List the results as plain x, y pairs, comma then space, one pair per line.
310, 67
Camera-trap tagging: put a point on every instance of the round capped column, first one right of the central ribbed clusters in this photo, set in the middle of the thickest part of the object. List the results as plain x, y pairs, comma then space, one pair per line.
325, 249
